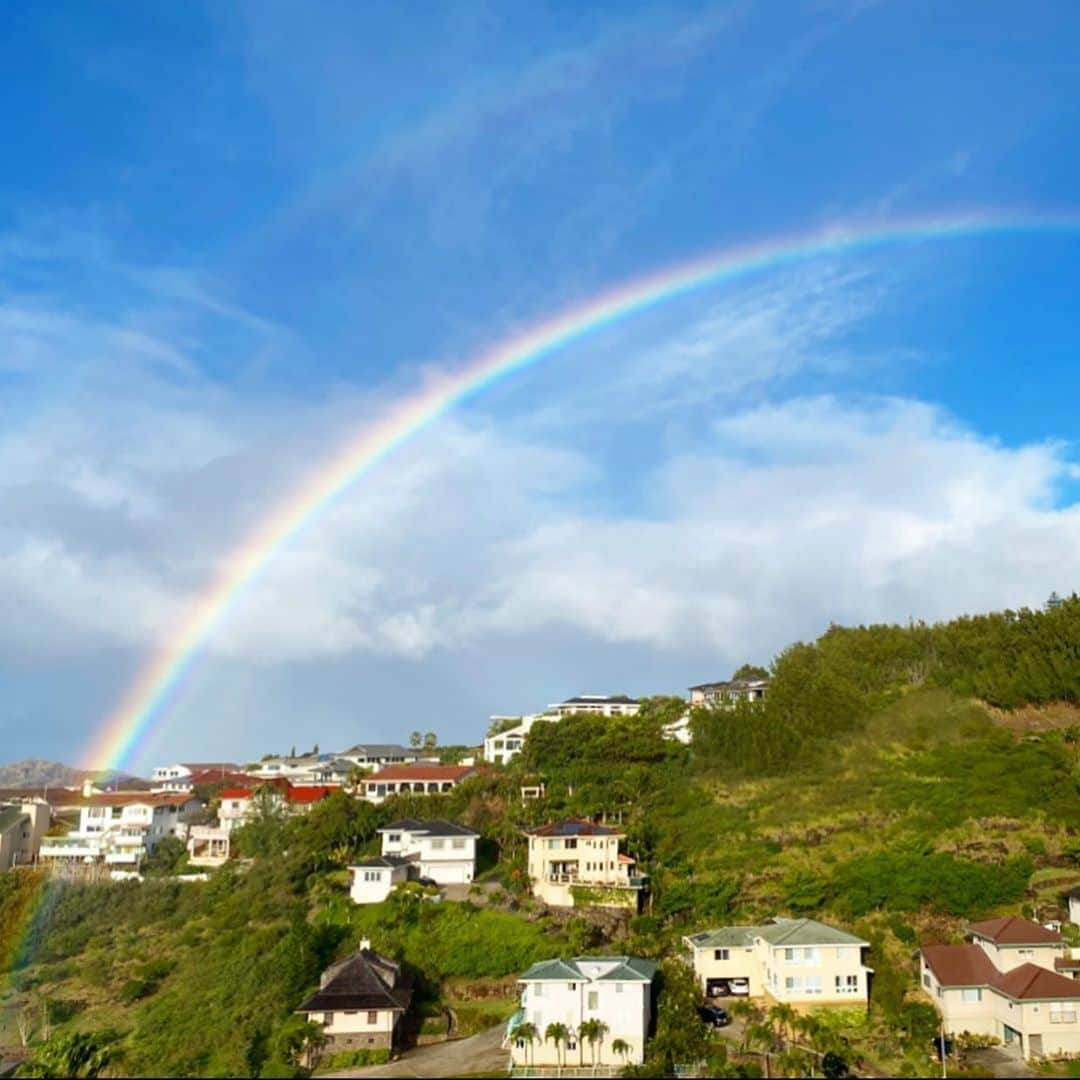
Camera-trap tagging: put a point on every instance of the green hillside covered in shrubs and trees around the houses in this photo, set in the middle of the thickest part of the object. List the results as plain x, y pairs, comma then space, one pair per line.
873, 789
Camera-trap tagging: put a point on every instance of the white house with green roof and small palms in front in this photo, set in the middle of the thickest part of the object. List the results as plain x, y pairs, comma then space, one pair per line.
617, 991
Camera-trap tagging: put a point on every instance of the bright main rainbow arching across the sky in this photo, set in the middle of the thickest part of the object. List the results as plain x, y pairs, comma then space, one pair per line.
147, 697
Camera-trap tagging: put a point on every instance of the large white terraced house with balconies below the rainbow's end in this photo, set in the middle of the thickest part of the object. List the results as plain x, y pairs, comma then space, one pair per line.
123, 828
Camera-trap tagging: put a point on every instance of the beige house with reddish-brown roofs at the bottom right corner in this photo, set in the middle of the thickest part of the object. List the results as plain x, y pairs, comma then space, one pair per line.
1007, 983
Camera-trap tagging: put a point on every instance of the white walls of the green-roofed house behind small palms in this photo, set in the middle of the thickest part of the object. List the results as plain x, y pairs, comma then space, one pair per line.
625, 1011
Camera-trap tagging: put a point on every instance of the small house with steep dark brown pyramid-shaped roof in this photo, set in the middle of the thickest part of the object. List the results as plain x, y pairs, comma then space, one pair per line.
361, 1002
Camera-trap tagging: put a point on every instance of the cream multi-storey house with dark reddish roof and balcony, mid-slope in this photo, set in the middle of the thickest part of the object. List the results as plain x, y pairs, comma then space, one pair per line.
576, 863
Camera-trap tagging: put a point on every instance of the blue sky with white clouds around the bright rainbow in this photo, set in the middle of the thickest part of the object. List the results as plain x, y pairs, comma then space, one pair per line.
229, 236
